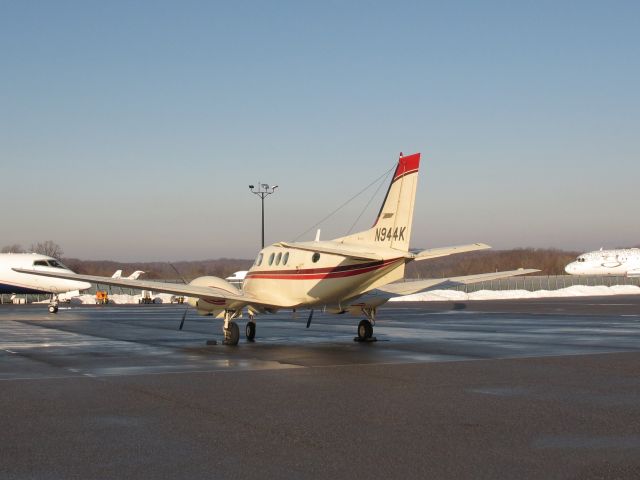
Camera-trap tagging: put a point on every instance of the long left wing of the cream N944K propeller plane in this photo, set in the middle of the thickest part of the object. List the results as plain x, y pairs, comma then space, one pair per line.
204, 292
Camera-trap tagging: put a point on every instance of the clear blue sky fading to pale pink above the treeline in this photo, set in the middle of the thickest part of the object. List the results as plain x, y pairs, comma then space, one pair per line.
131, 130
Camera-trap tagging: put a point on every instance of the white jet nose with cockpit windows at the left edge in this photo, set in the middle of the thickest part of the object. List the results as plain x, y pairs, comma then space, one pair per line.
12, 281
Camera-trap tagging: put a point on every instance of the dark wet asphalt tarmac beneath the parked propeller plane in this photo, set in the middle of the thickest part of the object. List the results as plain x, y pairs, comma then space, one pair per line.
502, 389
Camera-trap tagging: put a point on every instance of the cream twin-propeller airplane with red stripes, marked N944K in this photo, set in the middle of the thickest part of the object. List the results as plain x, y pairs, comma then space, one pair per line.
351, 274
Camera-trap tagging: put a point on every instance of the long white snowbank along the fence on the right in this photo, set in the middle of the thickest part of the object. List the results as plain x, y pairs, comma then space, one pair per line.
573, 291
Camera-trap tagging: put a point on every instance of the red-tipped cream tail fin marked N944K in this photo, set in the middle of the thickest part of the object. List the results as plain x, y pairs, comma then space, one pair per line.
392, 228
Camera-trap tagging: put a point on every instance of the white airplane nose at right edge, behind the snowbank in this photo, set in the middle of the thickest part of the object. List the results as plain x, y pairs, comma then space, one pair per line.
621, 261
